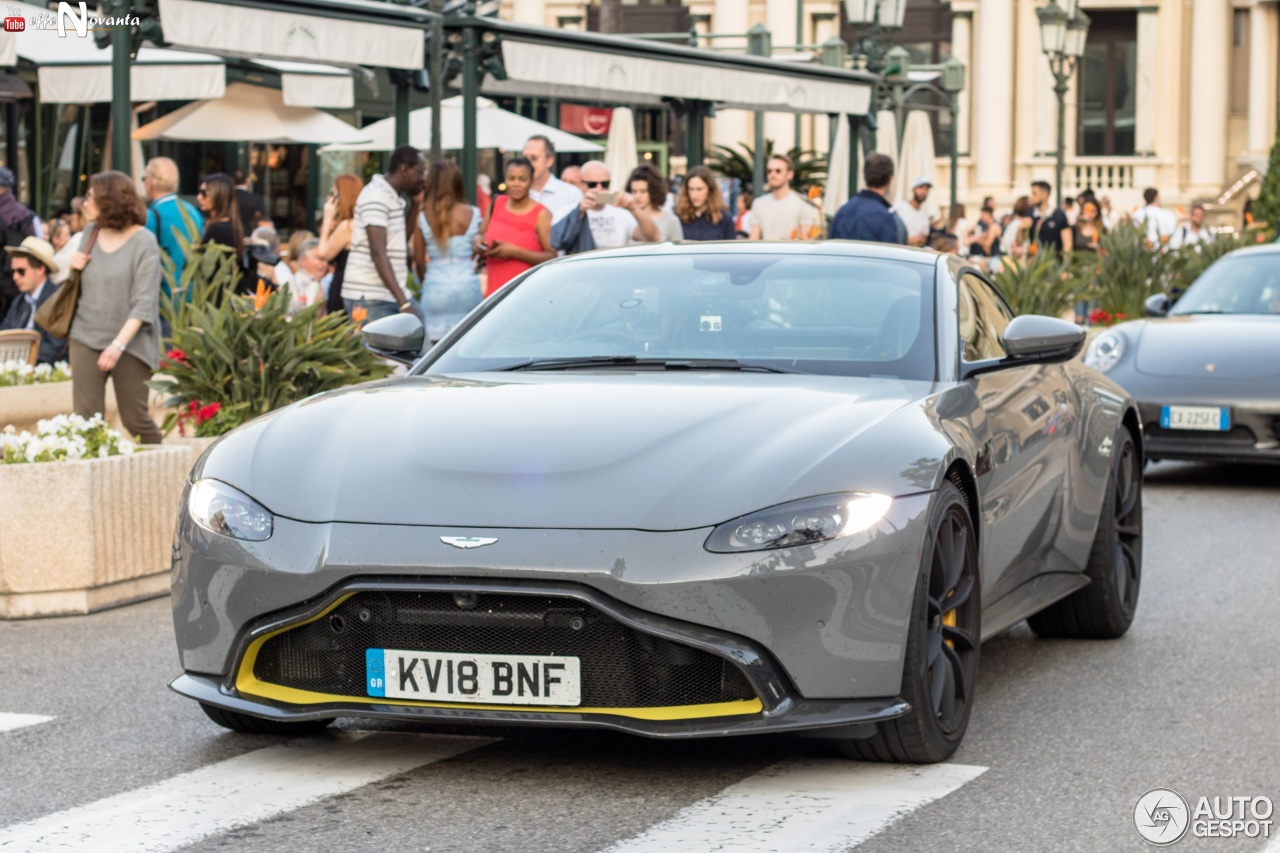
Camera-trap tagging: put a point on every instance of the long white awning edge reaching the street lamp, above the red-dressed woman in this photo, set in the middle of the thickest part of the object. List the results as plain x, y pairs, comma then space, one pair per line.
574, 74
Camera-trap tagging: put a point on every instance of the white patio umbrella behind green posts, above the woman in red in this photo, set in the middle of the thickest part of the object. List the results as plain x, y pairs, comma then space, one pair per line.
496, 129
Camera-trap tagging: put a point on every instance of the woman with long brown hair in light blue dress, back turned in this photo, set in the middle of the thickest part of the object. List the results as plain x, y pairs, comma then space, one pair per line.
447, 226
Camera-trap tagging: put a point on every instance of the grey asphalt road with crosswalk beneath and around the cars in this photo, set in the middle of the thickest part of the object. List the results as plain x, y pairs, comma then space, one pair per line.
1066, 738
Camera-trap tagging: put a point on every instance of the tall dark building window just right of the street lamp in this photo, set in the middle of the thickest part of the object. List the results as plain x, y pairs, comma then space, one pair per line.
1109, 85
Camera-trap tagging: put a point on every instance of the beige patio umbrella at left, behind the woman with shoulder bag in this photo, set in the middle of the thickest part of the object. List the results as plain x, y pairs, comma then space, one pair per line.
249, 115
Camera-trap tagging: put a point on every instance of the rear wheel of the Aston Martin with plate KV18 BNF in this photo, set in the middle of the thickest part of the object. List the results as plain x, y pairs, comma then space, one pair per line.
1105, 609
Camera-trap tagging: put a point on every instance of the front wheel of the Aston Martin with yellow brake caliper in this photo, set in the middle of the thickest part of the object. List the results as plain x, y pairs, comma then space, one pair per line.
941, 665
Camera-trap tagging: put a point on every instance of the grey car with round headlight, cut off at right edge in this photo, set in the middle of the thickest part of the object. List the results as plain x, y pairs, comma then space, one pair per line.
1206, 370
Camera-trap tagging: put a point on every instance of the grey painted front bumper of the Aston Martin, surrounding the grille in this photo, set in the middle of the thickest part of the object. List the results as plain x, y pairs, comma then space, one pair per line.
833, 618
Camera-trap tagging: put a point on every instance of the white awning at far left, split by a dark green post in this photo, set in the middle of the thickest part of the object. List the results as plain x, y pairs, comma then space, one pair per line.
76, 71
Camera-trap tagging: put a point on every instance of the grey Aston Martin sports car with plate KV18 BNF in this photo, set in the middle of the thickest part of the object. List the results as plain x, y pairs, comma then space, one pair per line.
676, 491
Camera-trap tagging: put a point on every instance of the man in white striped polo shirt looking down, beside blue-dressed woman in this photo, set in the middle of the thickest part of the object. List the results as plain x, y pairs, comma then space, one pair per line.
378, 264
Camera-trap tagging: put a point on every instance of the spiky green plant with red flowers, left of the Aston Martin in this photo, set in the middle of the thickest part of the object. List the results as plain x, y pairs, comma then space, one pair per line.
246, 354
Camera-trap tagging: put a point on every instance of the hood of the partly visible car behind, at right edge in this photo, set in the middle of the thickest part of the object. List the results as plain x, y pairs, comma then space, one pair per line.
1238, 346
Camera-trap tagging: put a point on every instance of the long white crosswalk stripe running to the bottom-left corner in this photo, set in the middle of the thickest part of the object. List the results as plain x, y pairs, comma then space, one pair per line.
234, 793
